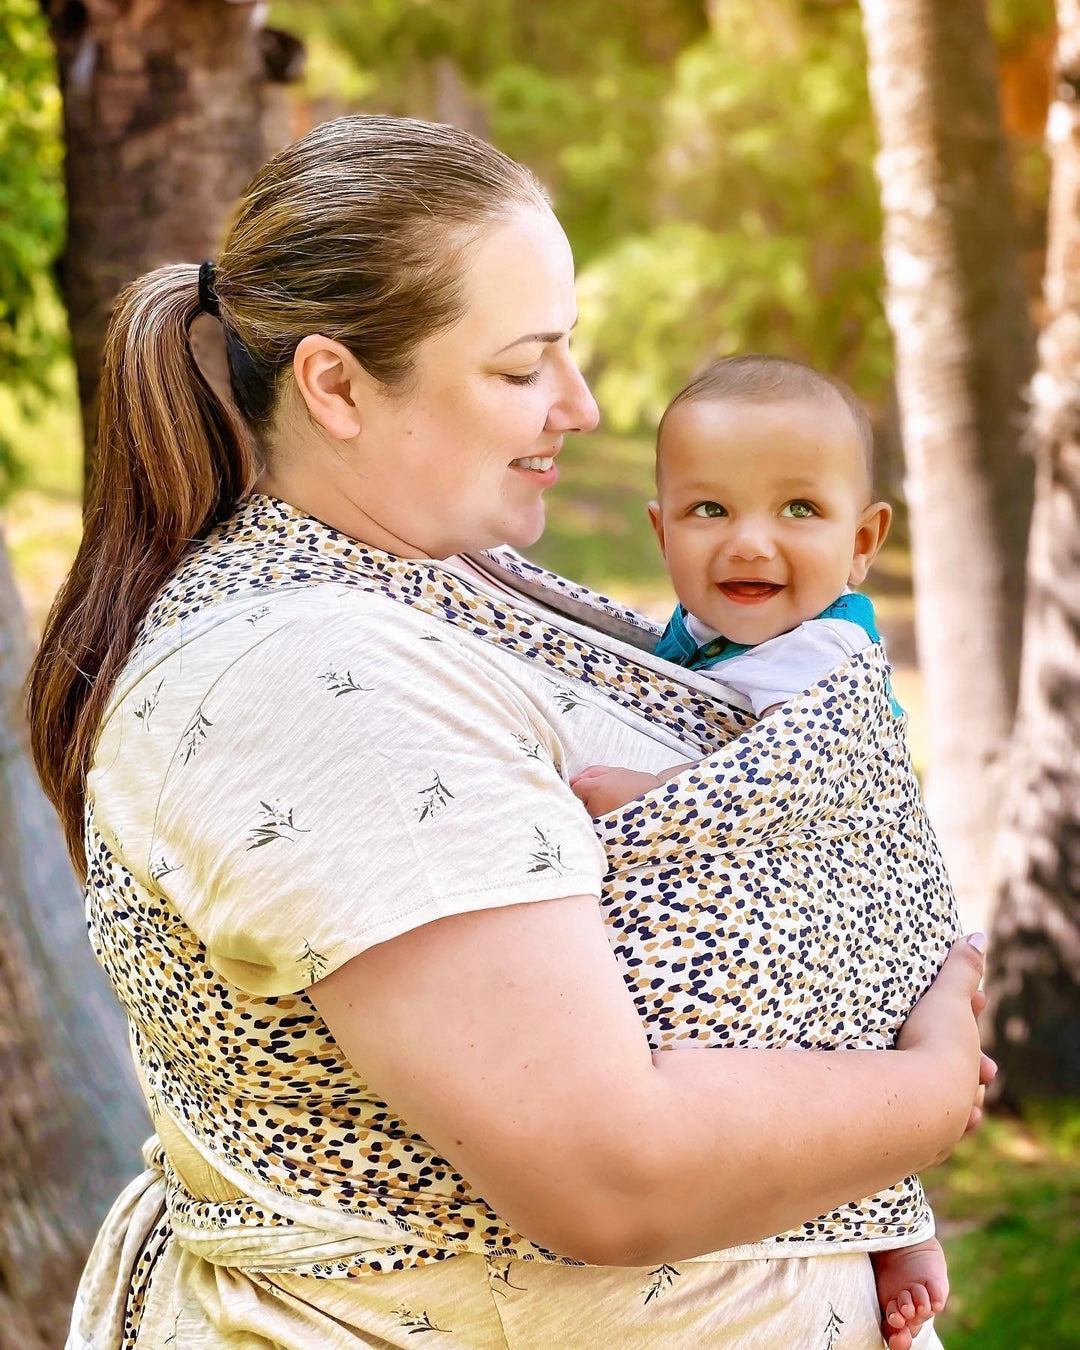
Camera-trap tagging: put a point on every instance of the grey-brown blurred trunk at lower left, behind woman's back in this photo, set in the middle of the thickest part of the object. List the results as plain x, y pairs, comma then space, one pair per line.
71, 1113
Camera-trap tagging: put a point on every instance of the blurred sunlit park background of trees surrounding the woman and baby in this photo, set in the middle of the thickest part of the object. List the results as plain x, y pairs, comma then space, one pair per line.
713, 163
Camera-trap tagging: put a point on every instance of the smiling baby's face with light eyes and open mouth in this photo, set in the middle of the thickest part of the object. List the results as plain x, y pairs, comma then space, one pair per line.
763, 512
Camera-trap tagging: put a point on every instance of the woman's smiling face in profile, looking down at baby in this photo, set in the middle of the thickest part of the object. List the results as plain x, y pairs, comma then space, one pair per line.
461, 458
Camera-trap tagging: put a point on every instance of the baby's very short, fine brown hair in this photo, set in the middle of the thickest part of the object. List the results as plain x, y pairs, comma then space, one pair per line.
755, 379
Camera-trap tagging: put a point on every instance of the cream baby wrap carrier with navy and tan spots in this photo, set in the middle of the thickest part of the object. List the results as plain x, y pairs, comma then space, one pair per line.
785, 892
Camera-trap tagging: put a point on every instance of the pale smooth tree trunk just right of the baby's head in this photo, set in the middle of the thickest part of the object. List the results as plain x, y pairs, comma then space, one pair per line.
965, 353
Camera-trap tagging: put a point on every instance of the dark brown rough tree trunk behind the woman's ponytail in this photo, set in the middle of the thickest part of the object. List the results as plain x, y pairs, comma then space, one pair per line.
163, 119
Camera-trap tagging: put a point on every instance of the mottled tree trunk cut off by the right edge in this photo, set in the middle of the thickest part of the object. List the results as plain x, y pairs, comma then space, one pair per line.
1035, 961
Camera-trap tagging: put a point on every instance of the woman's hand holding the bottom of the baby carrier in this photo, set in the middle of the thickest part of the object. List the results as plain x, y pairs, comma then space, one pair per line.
944, 1029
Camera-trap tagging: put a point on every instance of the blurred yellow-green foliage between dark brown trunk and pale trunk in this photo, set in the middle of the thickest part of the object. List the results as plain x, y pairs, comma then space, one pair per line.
716, 180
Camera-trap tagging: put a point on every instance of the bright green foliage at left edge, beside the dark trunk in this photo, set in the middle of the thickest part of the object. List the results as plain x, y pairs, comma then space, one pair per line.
32, 213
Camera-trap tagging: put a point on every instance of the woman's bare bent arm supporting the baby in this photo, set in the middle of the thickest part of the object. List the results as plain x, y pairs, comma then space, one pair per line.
510, 1042
